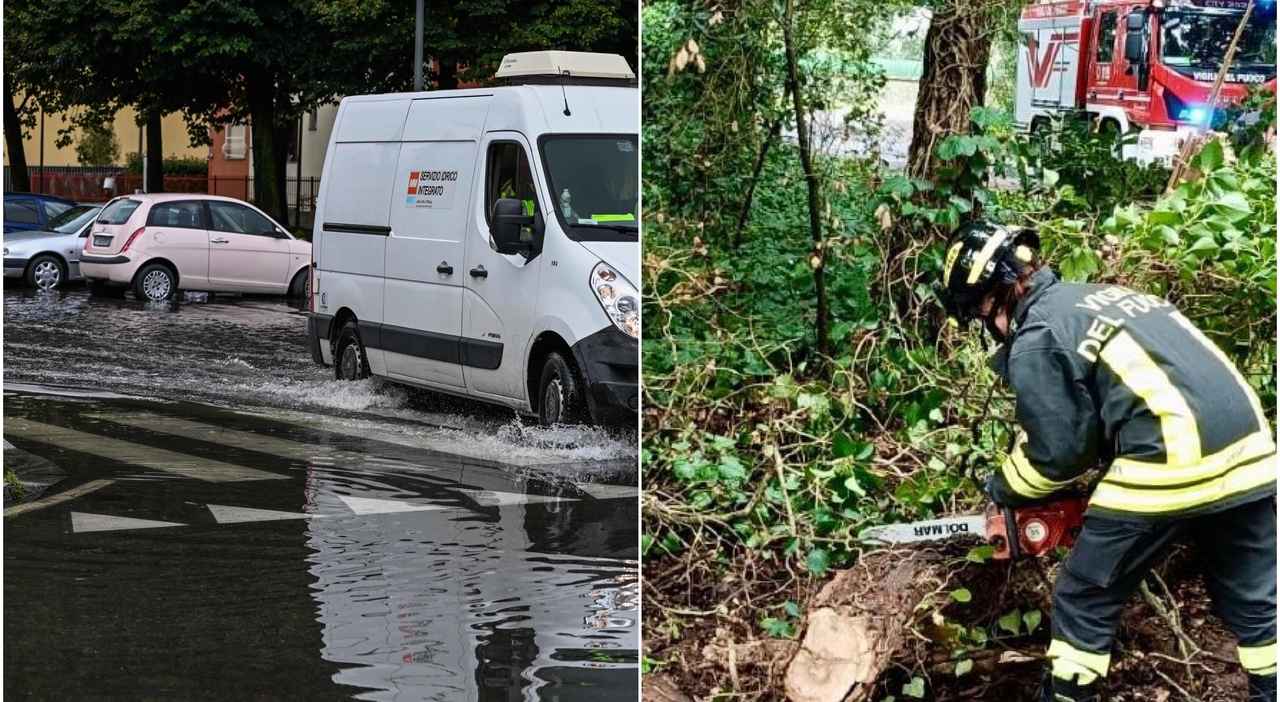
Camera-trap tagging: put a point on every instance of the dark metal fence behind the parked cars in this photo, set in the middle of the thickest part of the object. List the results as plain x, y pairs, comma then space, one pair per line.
88, 185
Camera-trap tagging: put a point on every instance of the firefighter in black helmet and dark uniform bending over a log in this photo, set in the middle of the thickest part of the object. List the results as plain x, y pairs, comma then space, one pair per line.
1113, 380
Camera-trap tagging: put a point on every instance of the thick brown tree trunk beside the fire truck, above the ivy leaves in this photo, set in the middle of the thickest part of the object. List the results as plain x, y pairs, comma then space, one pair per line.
957, 51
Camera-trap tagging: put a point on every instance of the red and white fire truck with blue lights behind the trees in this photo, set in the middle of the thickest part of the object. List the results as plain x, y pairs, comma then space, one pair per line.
1140, 65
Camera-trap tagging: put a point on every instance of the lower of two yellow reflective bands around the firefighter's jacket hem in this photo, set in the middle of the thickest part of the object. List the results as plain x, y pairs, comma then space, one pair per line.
1240, 480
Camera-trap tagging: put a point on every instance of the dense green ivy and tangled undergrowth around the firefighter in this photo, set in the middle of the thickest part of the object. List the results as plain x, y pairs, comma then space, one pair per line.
760, 450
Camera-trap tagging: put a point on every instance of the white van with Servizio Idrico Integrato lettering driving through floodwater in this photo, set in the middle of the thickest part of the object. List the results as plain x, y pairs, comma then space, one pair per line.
486, 243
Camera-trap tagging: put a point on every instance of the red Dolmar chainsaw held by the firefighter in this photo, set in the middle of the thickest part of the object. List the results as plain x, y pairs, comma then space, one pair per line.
1014, 532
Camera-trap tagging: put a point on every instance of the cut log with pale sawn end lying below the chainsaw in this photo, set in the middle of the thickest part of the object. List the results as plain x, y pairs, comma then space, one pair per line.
858, 623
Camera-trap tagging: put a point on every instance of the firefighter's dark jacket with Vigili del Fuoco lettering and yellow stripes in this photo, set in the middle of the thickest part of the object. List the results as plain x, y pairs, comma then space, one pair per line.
1109, 377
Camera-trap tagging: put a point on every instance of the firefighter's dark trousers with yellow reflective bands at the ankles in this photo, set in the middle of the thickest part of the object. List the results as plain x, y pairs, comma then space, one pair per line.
1237, 549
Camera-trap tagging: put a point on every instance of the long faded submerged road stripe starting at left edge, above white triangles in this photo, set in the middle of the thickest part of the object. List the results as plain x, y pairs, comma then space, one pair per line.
145, 457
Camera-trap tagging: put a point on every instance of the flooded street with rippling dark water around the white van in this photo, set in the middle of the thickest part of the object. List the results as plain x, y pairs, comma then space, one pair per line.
235, 525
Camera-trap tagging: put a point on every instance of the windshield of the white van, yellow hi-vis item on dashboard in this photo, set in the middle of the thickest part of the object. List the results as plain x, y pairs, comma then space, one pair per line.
596, 184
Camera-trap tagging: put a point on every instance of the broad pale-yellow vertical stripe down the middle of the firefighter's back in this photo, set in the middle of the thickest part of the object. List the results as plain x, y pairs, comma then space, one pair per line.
1141, 375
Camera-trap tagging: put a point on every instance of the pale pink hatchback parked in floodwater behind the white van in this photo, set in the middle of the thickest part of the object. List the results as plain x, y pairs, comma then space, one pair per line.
161, 244
